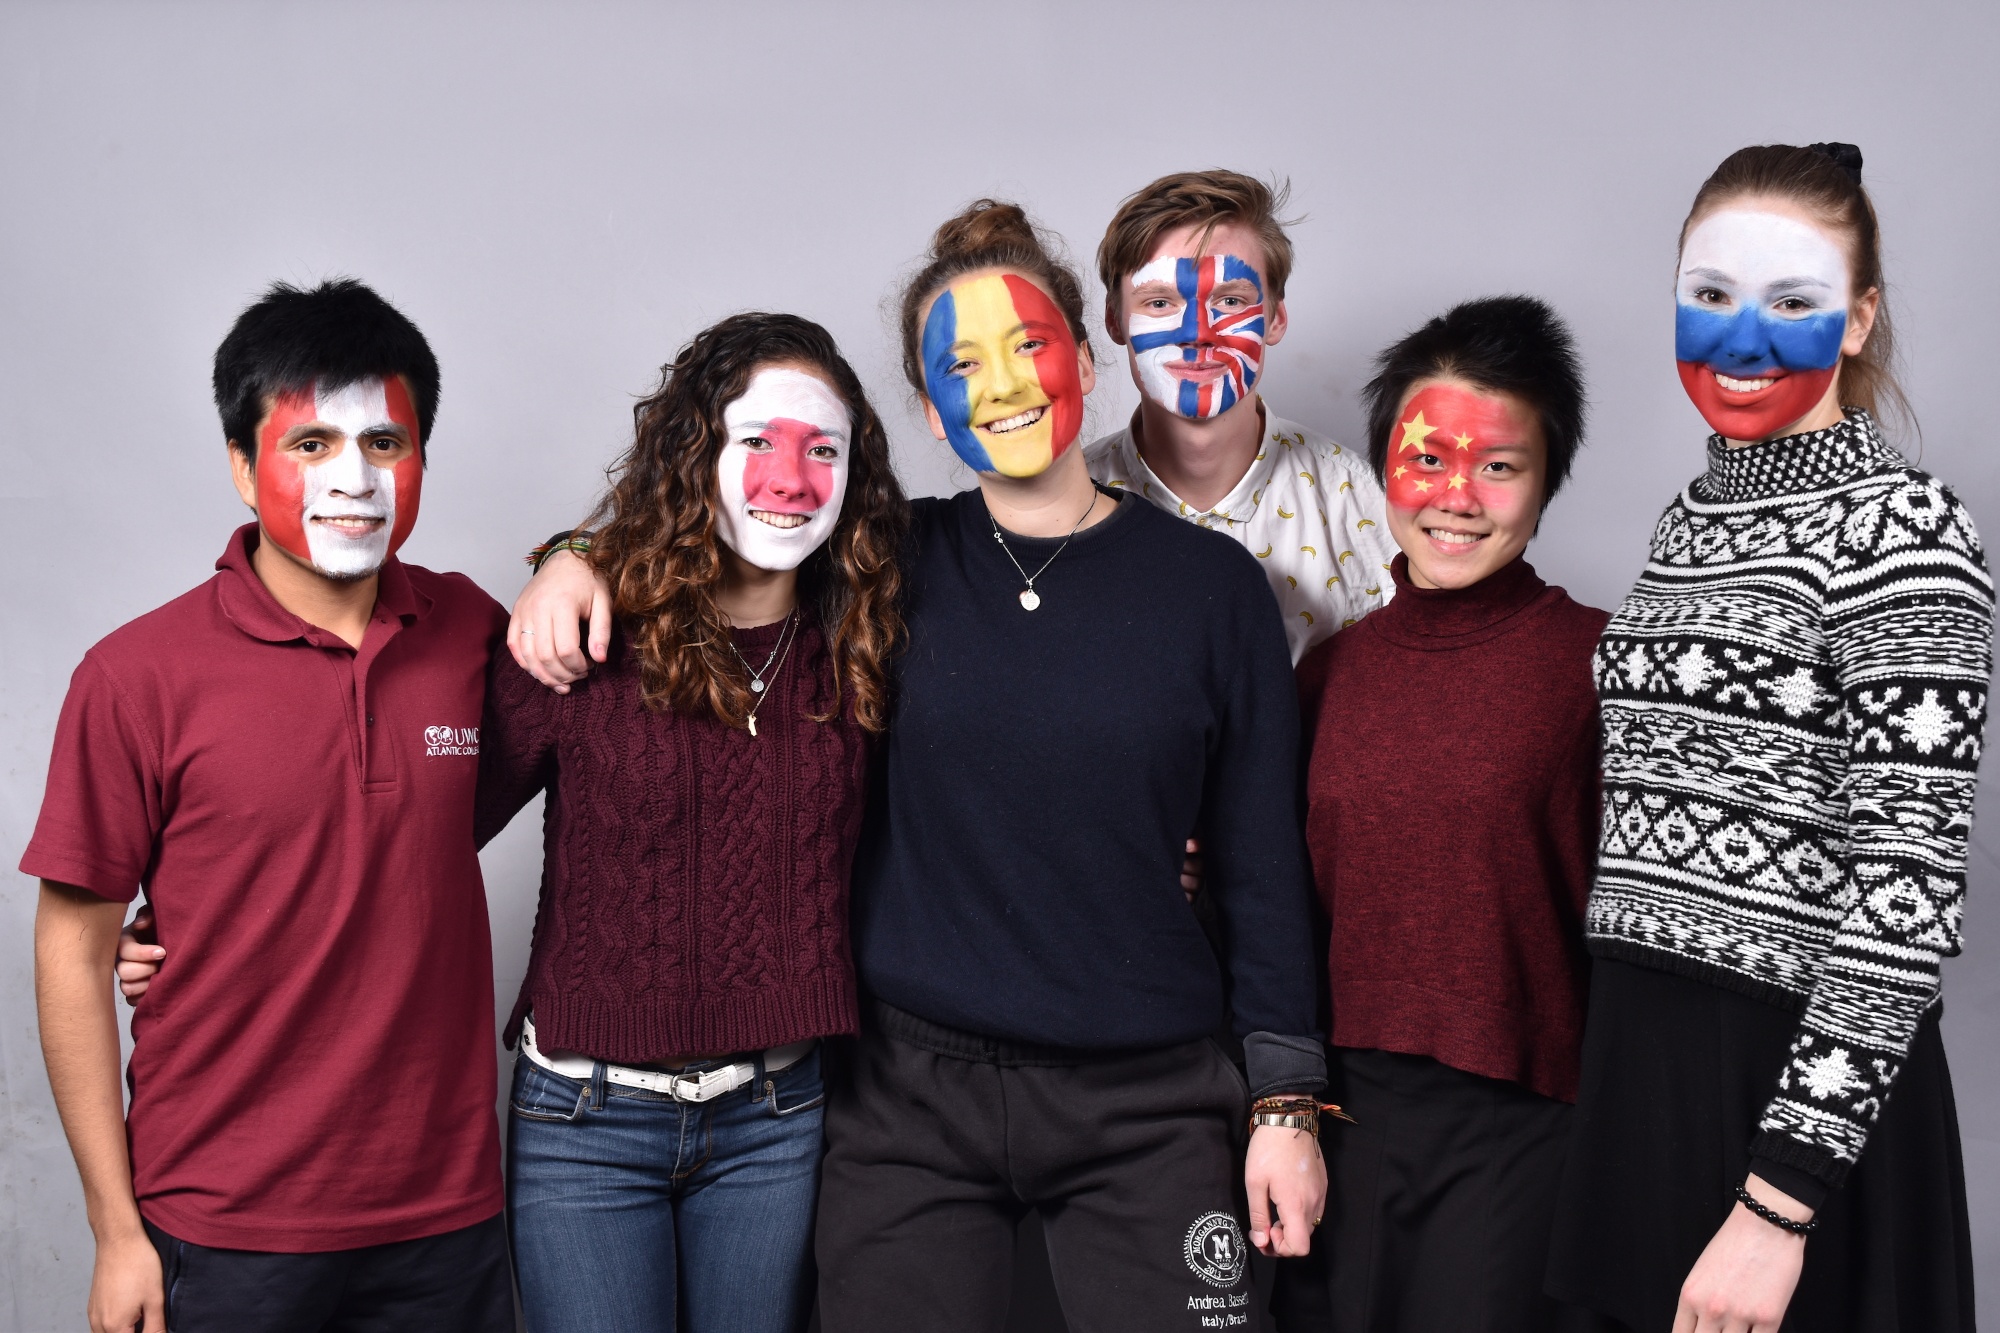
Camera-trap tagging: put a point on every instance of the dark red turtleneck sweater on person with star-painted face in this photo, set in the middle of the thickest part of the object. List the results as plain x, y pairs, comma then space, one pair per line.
1453, 820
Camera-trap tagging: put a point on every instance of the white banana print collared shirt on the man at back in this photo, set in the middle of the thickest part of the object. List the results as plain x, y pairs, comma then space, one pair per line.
1309, 511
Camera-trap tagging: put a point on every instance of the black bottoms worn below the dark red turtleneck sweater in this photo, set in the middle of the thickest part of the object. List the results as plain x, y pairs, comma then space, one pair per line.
1439, 1206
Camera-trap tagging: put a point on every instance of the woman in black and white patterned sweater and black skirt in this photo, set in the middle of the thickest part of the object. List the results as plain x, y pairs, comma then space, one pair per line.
1793, 700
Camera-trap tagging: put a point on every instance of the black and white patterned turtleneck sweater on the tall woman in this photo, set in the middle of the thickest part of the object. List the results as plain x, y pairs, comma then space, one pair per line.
1795, 698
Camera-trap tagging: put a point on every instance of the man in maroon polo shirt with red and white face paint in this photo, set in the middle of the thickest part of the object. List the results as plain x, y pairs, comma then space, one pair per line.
281, 760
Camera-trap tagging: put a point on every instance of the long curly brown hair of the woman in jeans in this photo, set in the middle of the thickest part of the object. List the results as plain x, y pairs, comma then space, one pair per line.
655, 529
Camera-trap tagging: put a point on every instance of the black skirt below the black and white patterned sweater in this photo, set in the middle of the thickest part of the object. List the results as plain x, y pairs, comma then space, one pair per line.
1677, 1076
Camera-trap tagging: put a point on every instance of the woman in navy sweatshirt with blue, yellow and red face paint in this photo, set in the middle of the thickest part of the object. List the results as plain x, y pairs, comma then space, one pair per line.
1089, 684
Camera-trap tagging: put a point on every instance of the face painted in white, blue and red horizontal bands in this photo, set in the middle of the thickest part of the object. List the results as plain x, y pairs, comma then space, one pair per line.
1761, 311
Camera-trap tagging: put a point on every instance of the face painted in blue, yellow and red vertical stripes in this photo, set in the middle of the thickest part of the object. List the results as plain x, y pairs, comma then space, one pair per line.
1001, 371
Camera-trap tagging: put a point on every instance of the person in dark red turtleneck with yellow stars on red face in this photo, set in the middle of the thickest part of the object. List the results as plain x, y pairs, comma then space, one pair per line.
1453, 816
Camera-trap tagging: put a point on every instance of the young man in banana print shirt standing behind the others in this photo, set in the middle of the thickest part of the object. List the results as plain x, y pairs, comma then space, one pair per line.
1195, 271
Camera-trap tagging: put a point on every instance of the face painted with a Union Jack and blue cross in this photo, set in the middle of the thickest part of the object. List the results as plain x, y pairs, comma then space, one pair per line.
1197, 321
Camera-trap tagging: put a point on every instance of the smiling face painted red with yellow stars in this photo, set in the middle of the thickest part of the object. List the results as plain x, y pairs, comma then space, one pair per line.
1465, 481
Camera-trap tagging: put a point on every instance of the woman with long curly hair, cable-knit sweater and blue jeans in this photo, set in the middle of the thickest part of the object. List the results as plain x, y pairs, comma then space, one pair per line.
705, 792
